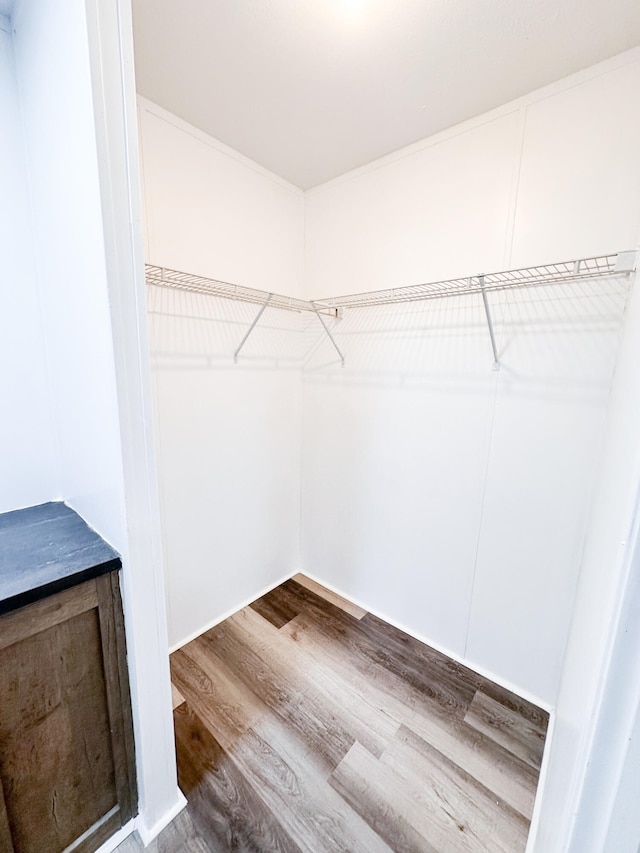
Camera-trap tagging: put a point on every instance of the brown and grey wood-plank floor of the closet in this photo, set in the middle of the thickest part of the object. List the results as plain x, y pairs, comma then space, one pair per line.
304, 723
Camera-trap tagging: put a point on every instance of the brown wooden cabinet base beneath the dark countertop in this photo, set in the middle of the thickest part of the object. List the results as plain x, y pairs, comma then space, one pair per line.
67, 770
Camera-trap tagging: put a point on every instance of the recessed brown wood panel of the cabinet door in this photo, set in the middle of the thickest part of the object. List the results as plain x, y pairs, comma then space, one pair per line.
56, 763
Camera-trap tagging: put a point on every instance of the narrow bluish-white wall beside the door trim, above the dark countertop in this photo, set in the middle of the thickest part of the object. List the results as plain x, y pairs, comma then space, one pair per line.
51, 57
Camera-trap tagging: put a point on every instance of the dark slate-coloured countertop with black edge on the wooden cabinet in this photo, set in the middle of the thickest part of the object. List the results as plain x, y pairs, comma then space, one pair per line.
45, 549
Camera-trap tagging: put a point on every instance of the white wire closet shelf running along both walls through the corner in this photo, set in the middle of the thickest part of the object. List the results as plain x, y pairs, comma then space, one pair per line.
602, 266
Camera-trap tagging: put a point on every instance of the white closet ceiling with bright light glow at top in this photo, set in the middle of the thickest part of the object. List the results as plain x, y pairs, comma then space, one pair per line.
312, 88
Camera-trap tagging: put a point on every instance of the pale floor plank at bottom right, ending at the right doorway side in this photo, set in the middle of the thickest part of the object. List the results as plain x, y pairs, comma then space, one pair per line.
460, 813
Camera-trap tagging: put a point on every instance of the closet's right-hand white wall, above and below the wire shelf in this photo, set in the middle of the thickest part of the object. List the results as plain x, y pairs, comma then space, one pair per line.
451, 499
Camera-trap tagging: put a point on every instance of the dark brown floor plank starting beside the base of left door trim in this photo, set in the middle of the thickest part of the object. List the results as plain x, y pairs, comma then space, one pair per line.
224, 808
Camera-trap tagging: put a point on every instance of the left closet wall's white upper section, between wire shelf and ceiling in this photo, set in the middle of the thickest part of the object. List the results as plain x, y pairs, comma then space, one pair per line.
212, 212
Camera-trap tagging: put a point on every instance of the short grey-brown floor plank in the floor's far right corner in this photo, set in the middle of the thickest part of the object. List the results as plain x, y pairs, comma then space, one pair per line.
506, 727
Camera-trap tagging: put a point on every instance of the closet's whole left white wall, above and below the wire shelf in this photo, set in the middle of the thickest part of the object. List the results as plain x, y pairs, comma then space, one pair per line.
228, 434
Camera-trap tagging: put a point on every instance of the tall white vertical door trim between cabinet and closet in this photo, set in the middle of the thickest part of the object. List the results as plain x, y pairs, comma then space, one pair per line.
111, 53
